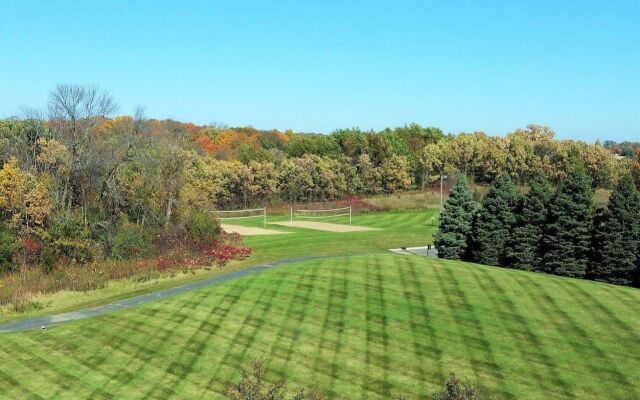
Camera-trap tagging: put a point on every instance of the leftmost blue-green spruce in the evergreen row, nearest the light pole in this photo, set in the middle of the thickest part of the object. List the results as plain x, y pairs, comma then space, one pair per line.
452, 238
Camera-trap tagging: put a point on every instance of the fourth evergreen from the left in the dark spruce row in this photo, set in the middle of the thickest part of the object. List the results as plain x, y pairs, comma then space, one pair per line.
567, 241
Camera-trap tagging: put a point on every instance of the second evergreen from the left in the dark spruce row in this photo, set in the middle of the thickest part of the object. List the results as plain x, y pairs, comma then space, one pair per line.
492, 228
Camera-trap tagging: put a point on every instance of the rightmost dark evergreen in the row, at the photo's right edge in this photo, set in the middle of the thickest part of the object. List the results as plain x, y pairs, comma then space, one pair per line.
617, 236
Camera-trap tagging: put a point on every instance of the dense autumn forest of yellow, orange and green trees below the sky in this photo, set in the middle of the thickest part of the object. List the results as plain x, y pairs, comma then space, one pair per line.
78, 181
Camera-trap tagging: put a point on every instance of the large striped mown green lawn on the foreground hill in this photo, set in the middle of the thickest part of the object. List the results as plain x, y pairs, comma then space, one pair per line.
358, 327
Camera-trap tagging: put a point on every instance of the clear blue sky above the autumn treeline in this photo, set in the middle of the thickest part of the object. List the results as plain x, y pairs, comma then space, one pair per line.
321, 65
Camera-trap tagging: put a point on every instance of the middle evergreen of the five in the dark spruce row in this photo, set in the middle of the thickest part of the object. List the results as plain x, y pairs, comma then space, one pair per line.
524, 249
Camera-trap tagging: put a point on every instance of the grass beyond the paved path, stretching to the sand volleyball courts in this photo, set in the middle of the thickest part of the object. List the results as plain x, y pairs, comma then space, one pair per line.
397, 228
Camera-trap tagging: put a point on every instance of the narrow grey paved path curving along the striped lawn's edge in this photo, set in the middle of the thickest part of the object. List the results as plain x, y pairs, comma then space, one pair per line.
44, 321
